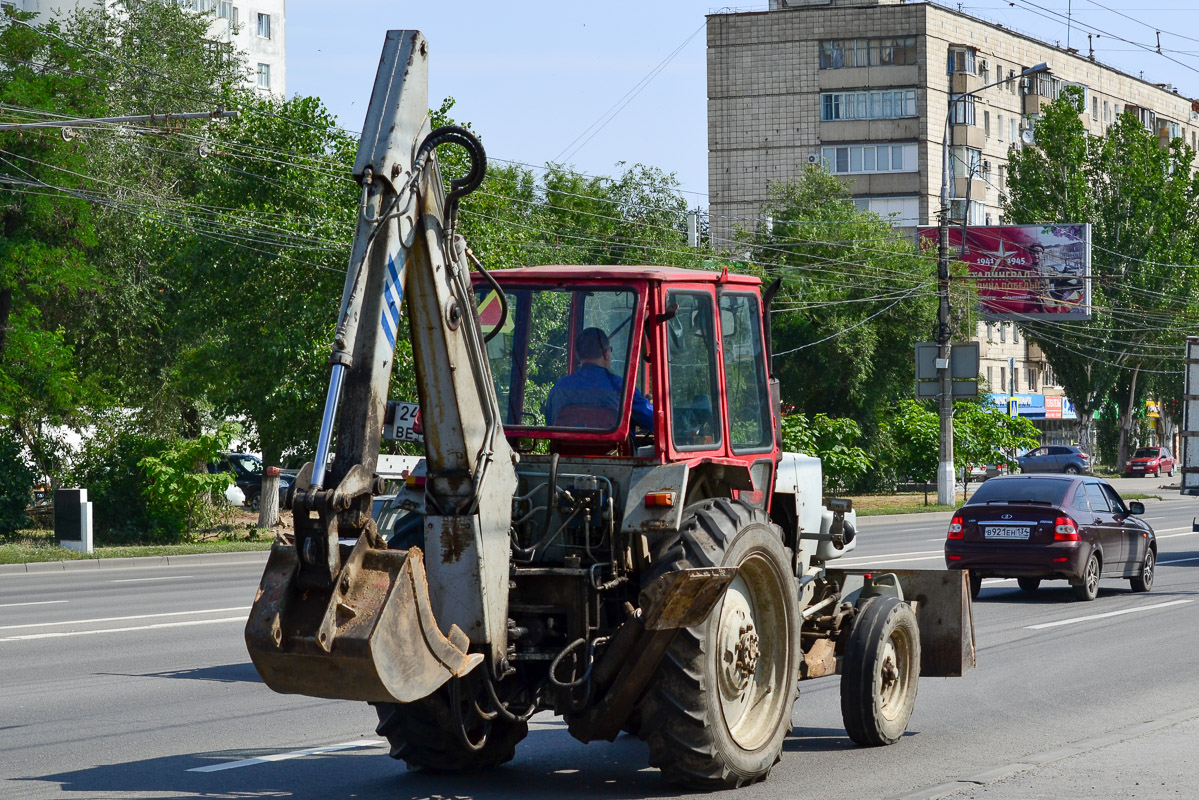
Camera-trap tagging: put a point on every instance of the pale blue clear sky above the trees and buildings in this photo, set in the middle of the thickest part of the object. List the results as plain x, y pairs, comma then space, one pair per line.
593, 85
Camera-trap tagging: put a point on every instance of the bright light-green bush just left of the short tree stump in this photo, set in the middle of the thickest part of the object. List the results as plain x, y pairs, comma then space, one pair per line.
180, 489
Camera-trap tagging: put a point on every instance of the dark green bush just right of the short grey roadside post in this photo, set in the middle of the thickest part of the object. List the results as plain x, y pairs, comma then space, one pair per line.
109, 468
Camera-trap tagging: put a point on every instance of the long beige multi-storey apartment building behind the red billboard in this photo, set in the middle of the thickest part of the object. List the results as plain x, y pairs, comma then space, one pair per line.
864, 88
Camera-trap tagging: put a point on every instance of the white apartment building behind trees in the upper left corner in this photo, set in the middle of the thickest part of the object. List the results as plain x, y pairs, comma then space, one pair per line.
256, 28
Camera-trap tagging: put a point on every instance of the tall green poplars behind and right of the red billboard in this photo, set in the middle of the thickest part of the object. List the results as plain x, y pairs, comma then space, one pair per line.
1141, 200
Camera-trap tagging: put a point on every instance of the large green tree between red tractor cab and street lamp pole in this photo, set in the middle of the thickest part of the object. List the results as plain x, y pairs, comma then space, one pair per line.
854, 302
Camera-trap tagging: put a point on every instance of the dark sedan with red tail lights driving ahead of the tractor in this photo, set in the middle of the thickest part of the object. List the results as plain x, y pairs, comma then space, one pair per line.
1039, 528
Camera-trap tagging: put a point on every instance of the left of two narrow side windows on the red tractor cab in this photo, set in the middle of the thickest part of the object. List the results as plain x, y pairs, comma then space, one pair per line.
691, 342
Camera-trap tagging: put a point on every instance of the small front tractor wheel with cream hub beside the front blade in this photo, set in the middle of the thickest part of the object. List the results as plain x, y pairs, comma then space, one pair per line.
881, 673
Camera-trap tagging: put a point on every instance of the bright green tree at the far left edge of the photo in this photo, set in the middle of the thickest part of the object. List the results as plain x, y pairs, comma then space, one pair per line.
45, 233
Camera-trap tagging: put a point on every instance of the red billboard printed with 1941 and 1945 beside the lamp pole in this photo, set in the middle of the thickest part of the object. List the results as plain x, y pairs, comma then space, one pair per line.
1025, 272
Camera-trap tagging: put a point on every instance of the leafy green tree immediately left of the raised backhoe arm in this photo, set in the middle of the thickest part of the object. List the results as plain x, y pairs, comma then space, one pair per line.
260, 303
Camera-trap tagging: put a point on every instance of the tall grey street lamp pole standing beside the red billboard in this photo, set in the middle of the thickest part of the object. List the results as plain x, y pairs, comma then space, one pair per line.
945, 473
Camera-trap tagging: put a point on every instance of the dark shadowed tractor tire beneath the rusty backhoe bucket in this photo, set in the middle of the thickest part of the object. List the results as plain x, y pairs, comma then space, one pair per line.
425, 735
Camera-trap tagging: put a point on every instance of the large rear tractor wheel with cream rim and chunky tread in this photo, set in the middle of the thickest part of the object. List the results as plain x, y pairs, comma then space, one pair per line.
718, 711
